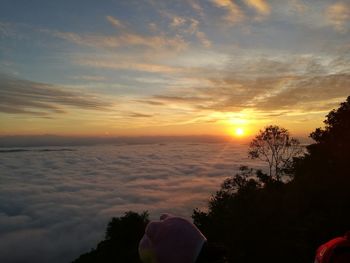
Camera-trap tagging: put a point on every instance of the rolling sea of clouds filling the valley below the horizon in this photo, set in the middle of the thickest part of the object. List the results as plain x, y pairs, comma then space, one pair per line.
55, 202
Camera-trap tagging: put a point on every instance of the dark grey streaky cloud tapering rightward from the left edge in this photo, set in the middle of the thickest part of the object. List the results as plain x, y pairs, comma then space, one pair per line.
23, 96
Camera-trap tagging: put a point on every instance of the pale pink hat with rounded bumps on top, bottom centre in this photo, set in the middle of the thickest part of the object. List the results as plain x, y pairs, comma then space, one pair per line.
171, 240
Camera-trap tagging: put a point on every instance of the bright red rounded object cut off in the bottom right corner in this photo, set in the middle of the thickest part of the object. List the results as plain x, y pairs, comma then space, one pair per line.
336, 250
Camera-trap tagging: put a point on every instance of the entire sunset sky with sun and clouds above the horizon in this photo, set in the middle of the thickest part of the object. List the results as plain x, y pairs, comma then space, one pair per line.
185, 67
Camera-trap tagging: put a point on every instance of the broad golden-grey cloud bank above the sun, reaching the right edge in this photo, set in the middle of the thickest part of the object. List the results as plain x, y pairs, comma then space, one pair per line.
267, 85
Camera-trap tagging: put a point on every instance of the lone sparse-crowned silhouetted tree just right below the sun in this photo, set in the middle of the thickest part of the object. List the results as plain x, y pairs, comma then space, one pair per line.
275, 146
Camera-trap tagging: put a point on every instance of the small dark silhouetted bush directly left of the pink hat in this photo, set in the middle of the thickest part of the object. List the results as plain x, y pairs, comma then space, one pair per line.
121, 242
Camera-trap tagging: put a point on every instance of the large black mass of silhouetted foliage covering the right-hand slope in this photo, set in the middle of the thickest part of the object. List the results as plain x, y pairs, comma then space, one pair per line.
257, 219
